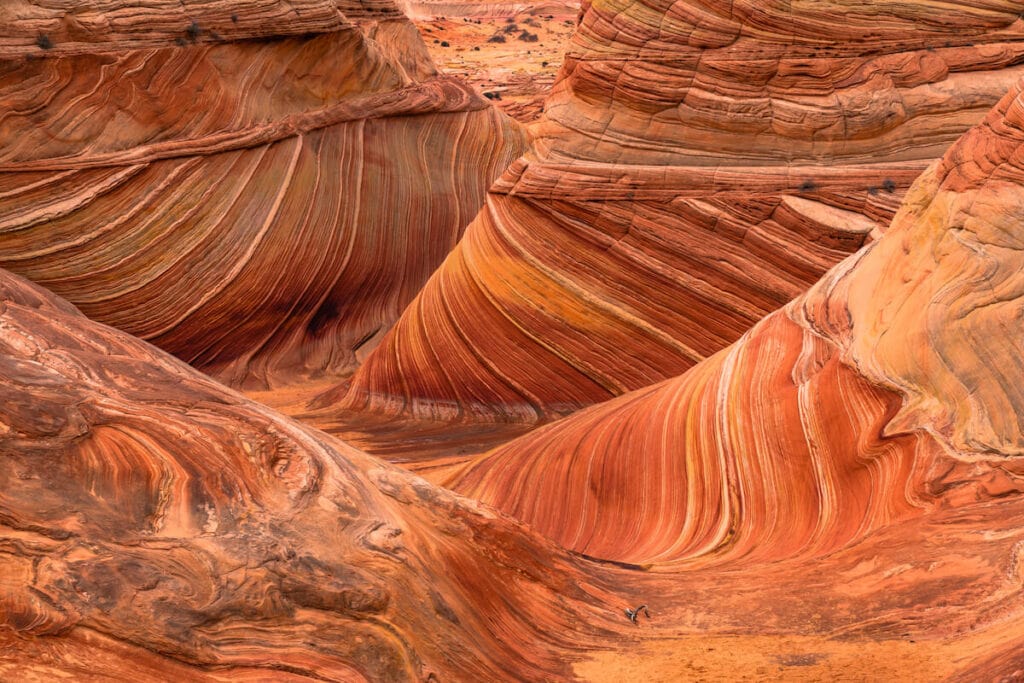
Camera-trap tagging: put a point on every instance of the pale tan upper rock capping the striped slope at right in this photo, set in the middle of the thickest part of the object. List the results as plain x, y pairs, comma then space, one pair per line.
943, 328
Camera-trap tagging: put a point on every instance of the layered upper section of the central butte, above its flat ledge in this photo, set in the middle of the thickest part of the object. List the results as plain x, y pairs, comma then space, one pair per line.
780, 83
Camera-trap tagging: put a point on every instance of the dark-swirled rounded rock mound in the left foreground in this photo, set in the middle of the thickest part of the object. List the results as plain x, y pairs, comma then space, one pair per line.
153, 522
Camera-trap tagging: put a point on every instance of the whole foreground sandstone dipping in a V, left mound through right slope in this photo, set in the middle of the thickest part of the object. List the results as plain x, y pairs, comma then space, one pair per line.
839, 493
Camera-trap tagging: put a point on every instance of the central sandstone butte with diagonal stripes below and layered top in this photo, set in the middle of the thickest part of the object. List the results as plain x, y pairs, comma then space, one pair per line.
700, 165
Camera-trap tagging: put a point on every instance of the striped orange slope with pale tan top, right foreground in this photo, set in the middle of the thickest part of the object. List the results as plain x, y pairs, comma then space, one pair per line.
854, 467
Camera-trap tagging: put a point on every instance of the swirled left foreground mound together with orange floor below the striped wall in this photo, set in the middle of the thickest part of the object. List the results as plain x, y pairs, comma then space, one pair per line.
156, 526
